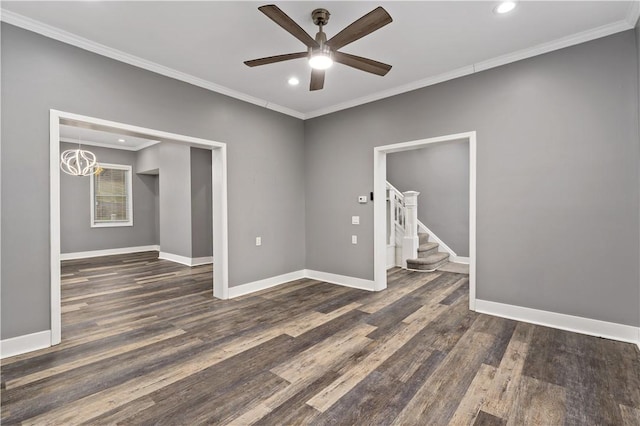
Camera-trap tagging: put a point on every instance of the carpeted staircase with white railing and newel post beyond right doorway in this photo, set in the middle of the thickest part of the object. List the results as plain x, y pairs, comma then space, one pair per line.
415, 246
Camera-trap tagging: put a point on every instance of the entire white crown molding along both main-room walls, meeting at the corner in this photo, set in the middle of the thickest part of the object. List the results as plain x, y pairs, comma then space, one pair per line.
52, 32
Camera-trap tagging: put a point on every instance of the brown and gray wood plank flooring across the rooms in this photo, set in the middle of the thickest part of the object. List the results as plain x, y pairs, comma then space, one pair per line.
144, 342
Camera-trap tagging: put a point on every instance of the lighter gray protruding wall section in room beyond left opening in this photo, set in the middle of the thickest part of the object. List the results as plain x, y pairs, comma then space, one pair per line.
175, 199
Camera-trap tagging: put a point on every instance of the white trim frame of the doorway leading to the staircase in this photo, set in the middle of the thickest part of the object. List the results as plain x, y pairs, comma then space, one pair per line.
380, 205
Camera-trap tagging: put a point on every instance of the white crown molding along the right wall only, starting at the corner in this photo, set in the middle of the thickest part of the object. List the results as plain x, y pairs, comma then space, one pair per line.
540, 49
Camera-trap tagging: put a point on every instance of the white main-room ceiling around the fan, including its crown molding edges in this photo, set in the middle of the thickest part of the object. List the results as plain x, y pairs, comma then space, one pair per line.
206, 43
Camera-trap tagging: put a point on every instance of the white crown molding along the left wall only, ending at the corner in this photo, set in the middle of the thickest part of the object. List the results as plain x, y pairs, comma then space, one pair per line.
86, 44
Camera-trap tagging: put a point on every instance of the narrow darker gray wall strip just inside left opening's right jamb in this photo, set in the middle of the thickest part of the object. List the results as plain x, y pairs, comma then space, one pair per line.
201, 207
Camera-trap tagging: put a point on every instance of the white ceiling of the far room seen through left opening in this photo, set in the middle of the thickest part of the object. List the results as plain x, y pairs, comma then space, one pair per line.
87, 136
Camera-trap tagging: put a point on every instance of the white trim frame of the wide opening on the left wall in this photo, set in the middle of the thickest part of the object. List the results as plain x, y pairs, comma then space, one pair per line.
220, 285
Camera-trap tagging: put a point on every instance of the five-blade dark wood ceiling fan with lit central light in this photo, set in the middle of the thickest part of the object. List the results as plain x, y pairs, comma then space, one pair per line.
321, 52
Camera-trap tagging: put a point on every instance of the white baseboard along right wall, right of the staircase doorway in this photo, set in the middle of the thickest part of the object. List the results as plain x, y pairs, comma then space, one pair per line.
591, 327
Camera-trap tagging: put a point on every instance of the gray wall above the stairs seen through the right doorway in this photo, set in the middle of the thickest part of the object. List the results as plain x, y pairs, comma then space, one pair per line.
440, 172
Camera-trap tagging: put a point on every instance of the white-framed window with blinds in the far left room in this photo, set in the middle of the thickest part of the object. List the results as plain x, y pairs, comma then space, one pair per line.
111, 196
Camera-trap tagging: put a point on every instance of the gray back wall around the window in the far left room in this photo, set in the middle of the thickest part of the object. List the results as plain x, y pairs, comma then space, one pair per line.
76, 233
